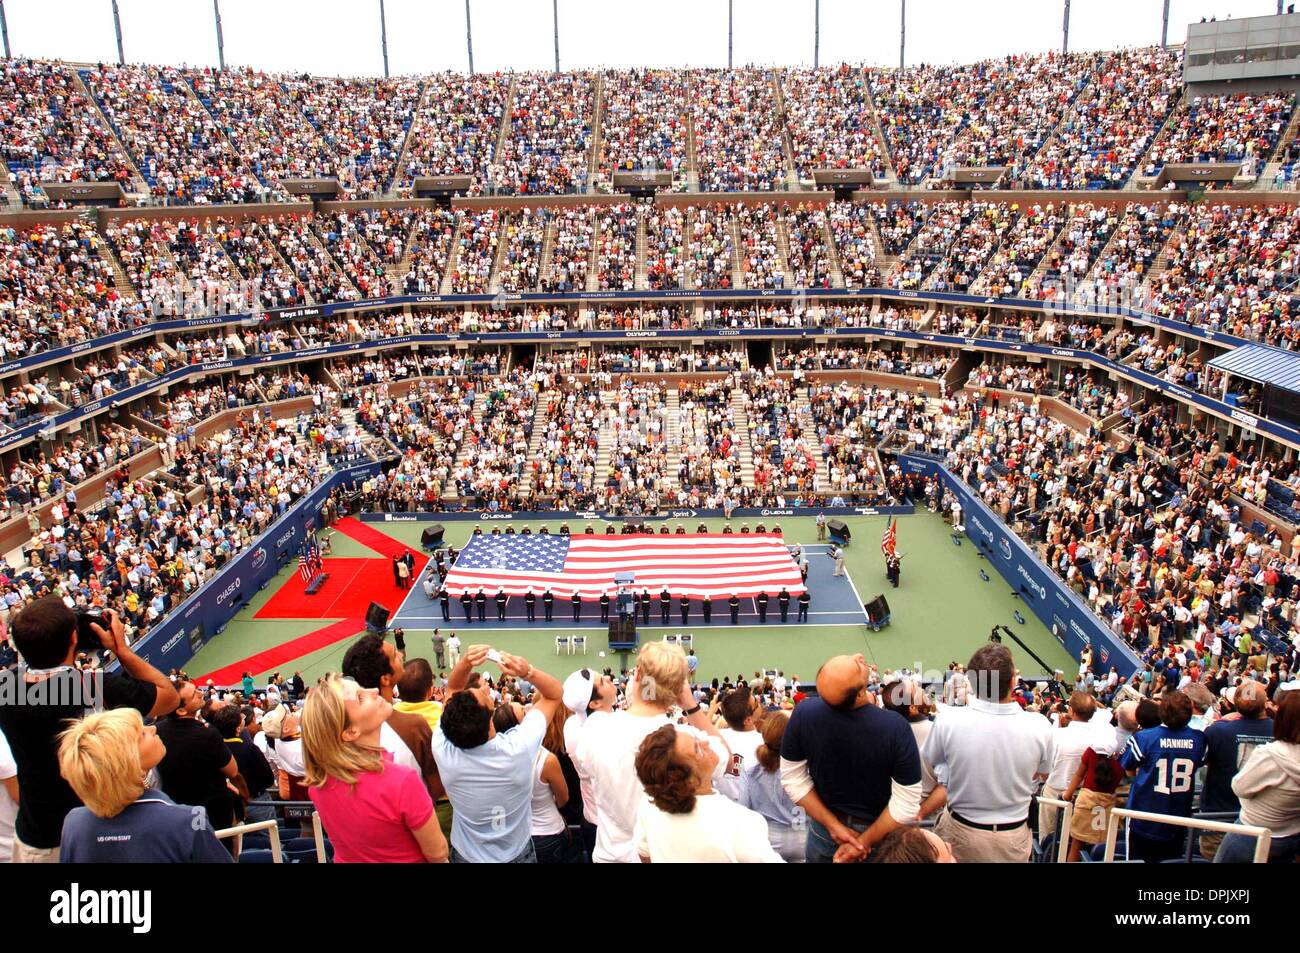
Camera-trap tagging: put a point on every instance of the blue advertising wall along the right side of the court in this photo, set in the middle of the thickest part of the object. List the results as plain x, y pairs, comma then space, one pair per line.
1056, 605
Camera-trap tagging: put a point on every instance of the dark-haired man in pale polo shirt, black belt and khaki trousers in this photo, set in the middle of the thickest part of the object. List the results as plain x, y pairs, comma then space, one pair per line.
989, 755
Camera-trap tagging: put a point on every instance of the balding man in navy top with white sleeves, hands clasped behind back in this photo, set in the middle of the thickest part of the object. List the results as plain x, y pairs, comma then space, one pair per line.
852, 768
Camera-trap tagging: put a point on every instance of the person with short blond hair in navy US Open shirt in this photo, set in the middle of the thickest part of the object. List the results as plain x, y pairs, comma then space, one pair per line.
105, 757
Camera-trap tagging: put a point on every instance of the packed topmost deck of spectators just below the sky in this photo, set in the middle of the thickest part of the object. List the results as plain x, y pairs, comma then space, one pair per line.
1081, 122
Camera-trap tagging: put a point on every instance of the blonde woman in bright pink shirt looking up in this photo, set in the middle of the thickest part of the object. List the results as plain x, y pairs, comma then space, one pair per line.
376, 812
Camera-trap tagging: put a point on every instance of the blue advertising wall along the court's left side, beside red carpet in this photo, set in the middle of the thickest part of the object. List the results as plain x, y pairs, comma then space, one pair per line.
203, 616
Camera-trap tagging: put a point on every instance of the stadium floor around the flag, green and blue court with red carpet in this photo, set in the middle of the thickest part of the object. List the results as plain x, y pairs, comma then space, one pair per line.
943, 609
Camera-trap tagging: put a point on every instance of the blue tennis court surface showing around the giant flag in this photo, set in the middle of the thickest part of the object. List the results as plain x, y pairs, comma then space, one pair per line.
834, 603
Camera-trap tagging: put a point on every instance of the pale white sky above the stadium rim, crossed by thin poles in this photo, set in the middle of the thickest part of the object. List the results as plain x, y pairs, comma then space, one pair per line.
343, 37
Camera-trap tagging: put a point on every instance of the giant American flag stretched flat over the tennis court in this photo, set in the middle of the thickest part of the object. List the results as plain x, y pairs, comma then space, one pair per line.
694, 565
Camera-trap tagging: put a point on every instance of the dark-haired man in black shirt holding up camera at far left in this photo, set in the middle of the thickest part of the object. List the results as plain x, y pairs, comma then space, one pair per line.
46, 633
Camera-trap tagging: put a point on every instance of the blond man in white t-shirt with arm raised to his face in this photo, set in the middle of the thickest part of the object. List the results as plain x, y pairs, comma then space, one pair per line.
608, 747
